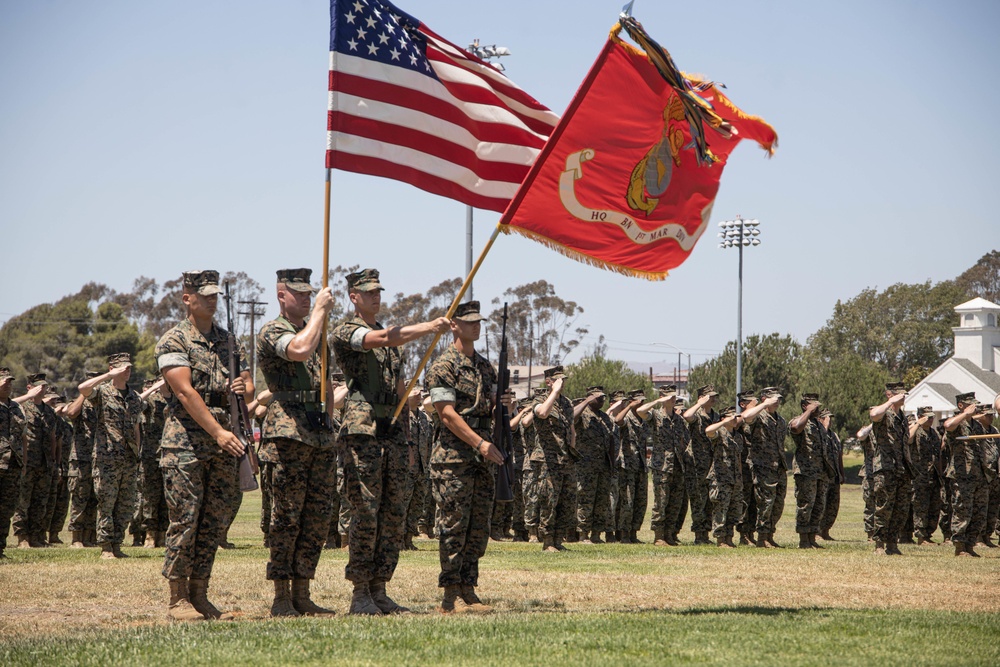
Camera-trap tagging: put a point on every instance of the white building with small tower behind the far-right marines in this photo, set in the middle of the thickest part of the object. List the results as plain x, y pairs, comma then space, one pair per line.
974, 366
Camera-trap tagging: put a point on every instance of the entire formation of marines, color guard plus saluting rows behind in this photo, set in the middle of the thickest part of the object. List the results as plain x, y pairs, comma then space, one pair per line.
337, 470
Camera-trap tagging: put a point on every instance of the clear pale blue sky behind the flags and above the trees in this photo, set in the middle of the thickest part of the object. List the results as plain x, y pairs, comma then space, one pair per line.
150, 138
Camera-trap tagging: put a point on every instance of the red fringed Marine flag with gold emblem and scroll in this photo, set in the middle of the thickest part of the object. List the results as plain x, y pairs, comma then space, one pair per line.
628, 178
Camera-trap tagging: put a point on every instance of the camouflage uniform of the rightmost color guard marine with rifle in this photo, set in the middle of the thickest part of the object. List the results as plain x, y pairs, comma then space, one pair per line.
463, 482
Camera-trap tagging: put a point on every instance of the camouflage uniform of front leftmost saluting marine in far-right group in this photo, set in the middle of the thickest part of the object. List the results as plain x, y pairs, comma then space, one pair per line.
890, 478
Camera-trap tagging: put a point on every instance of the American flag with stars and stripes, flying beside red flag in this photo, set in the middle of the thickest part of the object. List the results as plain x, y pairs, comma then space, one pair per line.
409, 105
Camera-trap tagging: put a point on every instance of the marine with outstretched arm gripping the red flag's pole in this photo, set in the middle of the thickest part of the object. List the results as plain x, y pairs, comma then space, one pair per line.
376, 454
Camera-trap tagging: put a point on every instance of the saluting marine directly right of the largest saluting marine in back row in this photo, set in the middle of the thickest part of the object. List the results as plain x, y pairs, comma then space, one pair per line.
595, 442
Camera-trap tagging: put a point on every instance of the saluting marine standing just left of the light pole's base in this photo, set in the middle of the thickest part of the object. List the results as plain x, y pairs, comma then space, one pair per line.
725, 476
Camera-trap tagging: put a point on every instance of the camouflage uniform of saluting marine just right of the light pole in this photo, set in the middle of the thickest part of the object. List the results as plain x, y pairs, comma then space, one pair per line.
769, 471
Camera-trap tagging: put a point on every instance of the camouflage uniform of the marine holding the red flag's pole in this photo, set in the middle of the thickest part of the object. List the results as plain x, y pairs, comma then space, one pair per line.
376, 457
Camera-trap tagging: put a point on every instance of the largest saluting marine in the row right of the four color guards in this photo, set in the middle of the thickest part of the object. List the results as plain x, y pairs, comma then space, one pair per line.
553, 454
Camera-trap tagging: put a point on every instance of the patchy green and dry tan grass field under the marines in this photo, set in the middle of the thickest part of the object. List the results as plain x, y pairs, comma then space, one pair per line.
635, 604
